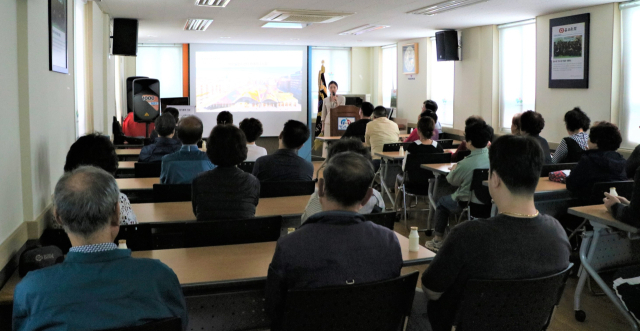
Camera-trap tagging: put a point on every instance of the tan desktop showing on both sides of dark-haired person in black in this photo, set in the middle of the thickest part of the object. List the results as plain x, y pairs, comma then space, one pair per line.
183, 211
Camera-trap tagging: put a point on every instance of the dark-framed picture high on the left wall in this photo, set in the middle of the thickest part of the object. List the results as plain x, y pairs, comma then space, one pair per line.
58, 57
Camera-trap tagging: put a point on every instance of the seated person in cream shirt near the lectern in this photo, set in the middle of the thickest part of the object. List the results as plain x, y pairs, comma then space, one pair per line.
380, 131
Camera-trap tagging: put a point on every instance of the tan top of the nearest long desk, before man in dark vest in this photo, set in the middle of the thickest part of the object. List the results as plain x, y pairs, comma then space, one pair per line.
221, 264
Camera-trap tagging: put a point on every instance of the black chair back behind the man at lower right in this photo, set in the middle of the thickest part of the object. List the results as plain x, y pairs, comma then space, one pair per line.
525, 304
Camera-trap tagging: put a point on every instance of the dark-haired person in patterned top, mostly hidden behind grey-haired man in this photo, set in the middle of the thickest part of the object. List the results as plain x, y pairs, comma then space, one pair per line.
98, 151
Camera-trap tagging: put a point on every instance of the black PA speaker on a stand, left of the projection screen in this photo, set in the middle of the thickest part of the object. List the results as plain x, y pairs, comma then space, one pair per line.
146, 101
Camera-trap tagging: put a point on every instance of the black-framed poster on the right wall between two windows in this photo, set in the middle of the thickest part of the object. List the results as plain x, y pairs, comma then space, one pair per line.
569, 52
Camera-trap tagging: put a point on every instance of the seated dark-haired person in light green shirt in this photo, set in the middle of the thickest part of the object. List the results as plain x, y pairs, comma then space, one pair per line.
477, 136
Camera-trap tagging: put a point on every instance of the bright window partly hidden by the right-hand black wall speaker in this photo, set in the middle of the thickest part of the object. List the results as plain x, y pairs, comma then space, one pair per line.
442, 84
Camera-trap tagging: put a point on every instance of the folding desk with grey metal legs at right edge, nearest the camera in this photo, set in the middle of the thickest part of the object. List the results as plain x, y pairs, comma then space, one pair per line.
611, 244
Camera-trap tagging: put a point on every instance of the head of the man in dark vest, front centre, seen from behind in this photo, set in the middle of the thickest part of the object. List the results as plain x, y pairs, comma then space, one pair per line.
346, 181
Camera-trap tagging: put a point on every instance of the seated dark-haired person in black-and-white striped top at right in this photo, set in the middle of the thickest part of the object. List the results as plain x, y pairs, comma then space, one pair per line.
571, 148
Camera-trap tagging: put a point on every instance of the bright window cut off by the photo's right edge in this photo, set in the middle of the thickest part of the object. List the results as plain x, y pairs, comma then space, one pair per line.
630, 117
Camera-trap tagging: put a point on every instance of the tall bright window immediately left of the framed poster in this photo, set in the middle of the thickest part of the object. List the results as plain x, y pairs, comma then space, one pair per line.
517, 70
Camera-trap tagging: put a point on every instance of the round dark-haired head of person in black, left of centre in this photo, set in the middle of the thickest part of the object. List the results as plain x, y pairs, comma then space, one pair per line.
227, 146
